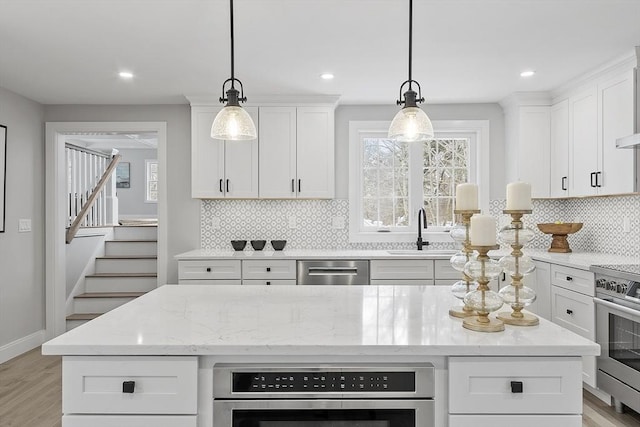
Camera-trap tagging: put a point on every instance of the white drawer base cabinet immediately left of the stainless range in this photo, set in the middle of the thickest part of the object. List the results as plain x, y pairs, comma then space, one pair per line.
572, 307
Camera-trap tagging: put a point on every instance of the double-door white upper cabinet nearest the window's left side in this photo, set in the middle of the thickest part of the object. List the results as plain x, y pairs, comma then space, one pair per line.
297, 152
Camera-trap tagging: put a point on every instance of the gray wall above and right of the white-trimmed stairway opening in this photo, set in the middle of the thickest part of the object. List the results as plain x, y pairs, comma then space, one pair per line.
183, 223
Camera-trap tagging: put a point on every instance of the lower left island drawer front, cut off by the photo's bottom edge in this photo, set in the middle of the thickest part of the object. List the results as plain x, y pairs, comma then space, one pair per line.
129, 420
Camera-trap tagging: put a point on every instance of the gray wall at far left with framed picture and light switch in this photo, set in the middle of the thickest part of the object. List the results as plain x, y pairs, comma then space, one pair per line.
22, 288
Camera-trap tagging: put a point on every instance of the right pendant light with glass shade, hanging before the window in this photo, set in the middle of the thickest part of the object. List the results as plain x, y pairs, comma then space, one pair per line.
411, 123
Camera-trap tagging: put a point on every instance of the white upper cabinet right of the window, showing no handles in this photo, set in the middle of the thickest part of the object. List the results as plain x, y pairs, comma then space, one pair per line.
528, 141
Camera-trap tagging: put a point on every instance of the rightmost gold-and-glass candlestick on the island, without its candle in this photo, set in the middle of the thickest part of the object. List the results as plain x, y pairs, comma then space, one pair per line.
518, 265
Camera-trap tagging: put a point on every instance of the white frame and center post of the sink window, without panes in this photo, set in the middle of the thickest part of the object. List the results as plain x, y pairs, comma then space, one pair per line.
478, 173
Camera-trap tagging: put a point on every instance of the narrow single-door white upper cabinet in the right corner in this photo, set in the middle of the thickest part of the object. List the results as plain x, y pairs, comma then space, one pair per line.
559, 183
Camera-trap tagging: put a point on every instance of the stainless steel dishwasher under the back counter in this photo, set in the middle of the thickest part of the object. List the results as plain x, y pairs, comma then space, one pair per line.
333, 272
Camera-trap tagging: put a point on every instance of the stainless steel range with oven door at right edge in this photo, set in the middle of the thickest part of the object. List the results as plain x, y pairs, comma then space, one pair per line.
618, 332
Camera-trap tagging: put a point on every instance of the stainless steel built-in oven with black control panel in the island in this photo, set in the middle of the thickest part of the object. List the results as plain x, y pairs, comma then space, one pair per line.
323, 396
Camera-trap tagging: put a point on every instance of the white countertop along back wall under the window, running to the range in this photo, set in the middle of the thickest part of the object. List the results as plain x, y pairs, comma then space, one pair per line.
581, 260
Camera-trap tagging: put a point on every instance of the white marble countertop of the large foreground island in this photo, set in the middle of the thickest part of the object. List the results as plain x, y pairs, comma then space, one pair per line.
304, 320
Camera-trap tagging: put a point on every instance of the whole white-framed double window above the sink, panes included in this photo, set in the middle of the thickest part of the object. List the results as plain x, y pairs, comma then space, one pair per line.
390, 180
